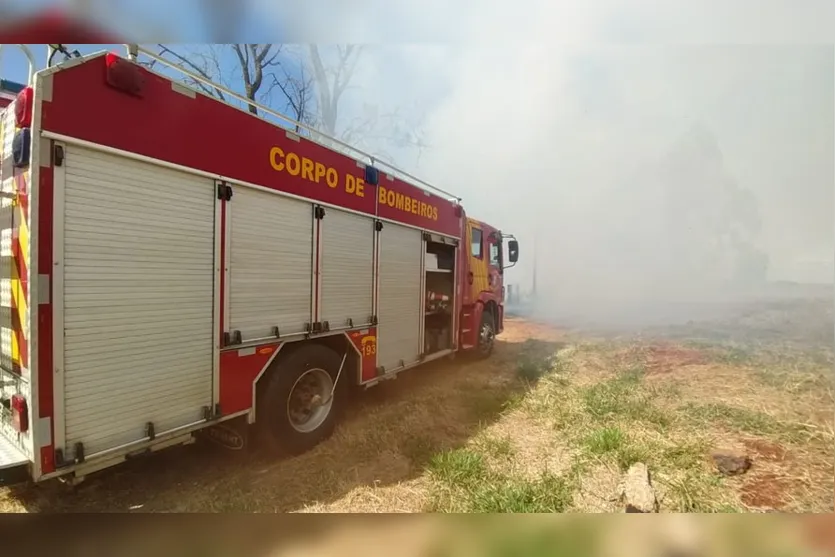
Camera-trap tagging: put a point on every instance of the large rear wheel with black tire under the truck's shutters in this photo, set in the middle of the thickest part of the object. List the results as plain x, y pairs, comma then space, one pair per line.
287, 423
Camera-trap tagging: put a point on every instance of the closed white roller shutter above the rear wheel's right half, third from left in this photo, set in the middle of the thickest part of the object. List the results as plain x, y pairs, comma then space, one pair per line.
347, 269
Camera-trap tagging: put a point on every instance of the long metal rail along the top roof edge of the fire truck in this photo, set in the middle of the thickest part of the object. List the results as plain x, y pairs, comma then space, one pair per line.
134, 50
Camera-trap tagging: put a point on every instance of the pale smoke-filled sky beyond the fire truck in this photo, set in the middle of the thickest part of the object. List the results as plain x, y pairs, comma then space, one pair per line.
553, 121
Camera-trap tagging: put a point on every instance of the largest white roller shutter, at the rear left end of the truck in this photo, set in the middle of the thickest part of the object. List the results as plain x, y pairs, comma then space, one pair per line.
138, 293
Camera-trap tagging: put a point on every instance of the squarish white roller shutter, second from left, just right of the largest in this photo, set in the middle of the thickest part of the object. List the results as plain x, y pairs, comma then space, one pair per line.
271, 258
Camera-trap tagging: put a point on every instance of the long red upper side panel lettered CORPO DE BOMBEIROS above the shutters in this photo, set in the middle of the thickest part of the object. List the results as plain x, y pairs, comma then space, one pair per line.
204, 133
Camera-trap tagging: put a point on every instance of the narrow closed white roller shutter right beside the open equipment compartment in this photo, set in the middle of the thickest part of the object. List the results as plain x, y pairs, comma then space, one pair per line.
399, 296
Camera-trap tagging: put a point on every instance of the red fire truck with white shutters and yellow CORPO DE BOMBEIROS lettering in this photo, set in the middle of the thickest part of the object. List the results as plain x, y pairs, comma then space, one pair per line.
172, 264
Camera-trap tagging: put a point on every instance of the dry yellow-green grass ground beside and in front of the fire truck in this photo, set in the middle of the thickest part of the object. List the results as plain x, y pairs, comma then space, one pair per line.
548, 424
